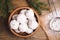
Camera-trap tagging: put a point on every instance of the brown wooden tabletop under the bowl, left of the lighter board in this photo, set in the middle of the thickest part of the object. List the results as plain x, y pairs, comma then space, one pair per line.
5, 33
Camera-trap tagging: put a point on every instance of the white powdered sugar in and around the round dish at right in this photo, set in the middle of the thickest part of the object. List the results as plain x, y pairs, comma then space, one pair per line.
54, 18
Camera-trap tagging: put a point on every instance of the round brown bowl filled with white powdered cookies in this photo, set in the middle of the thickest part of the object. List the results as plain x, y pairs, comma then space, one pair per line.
24, 22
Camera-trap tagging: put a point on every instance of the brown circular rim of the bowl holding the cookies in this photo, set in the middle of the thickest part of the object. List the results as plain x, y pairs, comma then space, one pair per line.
17, 33
